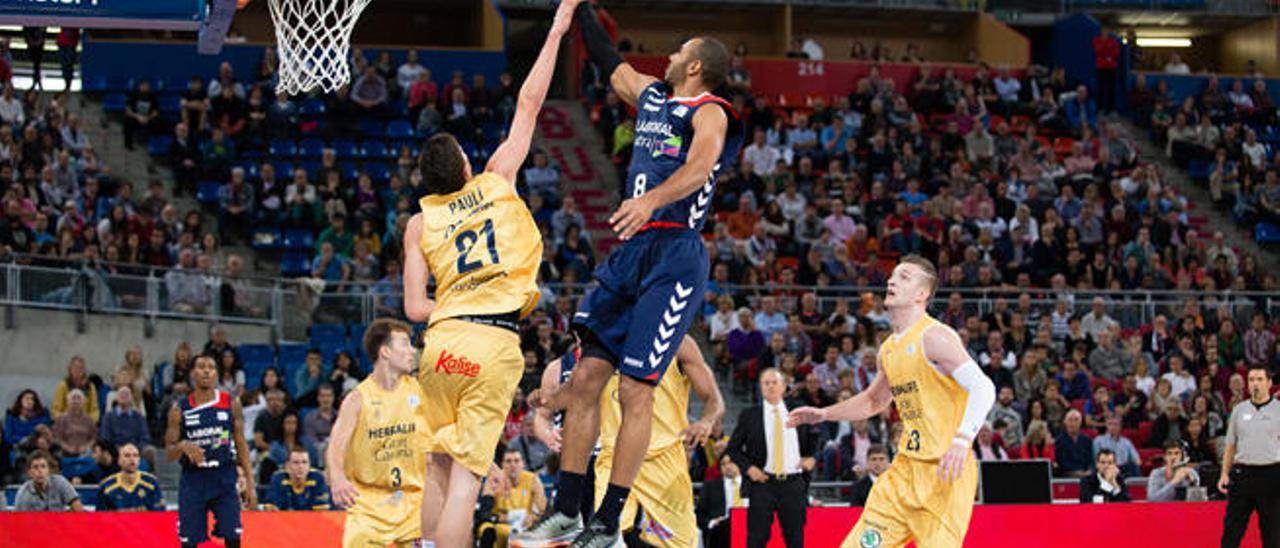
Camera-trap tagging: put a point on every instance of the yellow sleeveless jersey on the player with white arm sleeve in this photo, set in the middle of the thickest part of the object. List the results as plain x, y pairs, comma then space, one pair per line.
930, 404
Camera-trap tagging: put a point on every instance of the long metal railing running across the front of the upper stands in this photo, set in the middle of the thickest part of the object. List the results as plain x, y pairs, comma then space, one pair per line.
292, 305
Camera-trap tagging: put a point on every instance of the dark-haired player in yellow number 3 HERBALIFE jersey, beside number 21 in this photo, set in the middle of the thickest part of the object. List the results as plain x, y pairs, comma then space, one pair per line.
377, 459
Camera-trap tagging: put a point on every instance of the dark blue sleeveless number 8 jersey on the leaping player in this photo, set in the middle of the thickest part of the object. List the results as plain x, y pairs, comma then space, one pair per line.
665, 133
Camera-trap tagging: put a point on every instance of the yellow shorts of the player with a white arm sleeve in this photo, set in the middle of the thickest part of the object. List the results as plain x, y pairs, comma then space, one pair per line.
911, 503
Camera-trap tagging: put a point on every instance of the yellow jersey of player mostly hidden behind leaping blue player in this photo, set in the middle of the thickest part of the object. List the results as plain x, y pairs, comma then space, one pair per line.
670, 412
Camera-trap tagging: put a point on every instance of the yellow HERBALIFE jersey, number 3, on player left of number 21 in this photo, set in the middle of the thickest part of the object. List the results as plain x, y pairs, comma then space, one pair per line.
387, 455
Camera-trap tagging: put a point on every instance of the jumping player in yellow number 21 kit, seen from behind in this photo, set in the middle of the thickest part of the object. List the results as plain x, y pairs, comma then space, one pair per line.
477, 238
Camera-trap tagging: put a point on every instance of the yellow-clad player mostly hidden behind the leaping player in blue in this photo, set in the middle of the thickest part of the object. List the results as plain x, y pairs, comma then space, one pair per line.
660, 510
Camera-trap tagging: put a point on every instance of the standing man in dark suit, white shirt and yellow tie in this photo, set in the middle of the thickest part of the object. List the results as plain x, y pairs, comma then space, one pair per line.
778, 462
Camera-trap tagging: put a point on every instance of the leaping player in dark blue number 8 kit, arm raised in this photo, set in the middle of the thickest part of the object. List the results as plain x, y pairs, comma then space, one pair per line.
651, 287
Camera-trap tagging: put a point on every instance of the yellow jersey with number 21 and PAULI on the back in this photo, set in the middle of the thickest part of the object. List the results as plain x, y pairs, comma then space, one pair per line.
483, 248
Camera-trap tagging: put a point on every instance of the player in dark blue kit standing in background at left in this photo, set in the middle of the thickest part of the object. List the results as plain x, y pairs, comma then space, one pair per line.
207, 435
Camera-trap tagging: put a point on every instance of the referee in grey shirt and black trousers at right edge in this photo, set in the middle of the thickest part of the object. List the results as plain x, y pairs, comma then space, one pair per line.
1251, 464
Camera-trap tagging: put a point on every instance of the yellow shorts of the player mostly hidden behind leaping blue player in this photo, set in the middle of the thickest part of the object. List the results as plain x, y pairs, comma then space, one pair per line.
664, 491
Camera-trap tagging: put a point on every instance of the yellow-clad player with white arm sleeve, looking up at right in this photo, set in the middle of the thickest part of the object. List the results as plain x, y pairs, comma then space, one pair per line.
943, 399
